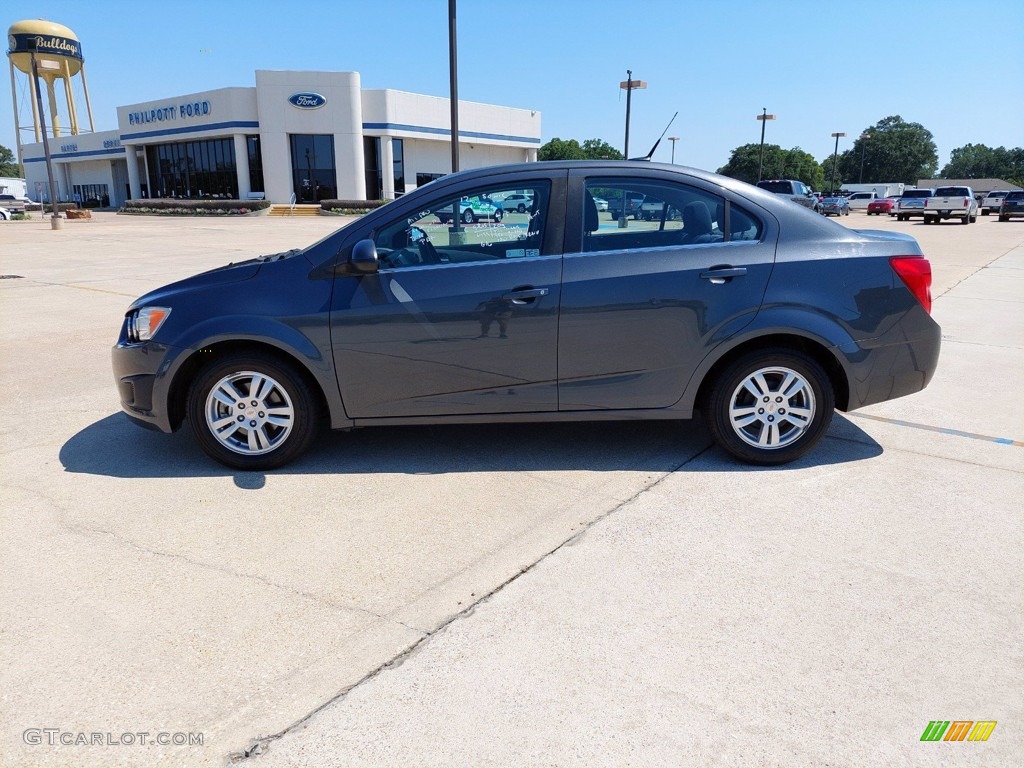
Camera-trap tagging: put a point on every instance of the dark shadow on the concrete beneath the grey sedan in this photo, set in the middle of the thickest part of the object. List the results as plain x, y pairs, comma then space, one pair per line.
115, 448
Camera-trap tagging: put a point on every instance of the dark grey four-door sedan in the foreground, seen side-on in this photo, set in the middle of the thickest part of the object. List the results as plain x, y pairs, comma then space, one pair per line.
736, 306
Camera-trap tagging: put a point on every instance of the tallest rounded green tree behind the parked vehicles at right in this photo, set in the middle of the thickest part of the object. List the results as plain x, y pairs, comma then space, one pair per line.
892, 150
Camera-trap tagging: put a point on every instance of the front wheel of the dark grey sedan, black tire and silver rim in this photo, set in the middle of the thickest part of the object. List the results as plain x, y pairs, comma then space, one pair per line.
279, 389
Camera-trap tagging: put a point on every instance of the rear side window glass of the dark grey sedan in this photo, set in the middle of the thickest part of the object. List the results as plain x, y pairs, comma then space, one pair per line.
624, 214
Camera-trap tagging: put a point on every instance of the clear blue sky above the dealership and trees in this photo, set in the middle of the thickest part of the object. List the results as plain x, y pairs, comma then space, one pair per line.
821, 67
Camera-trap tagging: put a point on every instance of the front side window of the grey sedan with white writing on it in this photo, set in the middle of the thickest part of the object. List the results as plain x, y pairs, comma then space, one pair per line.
484, 225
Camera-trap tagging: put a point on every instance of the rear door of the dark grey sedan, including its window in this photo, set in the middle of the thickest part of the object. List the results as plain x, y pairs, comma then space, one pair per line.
644, 303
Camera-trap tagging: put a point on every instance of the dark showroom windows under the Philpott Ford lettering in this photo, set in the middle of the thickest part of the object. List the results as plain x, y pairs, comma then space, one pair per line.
194, 170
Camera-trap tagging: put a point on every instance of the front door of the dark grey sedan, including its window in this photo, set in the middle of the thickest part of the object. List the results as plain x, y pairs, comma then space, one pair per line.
462, 317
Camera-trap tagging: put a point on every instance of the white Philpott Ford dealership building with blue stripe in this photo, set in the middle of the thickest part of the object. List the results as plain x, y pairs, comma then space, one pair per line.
315, 136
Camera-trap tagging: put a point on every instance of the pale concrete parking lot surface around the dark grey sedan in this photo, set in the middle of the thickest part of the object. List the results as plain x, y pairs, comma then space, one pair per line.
604, 594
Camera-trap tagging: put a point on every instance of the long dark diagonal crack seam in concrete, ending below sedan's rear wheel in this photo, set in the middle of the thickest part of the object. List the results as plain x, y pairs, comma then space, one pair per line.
261, 745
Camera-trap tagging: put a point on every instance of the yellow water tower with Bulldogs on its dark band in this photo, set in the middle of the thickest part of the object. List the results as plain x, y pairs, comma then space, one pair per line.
59, 57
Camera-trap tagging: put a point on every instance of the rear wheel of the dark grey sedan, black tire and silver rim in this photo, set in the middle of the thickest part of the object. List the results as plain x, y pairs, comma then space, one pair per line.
729, 399
